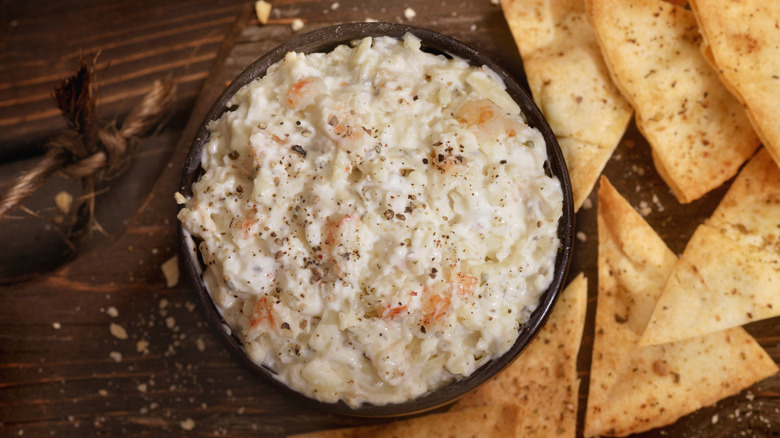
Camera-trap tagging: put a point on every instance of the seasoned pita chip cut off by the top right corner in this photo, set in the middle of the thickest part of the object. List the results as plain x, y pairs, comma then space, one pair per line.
741, 39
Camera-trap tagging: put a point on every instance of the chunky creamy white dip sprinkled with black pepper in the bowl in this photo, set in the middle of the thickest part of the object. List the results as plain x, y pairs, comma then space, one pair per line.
375, 221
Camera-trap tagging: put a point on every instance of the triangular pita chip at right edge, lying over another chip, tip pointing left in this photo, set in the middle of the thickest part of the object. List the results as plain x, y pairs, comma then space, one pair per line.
729, 273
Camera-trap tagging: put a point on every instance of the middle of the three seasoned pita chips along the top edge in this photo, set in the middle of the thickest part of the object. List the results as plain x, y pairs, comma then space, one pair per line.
699, 133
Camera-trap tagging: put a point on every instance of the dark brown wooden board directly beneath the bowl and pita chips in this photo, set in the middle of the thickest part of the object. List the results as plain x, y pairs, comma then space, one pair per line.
62, 370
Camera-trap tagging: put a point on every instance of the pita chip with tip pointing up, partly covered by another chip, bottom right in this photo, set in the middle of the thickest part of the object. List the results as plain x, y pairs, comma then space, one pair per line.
633, 388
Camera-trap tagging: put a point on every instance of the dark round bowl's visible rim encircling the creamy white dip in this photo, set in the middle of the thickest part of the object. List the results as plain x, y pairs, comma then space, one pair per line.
325, 40
